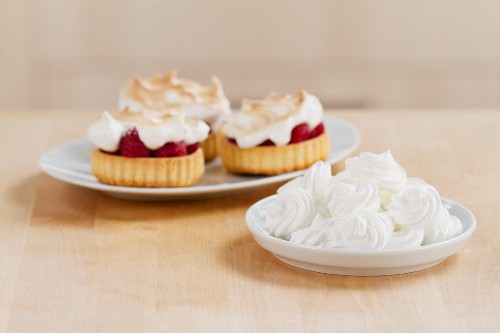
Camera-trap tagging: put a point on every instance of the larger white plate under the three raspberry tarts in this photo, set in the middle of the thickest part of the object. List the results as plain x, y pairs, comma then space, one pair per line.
70, 163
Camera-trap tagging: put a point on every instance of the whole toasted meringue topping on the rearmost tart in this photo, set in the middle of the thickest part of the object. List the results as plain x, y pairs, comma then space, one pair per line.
168, 94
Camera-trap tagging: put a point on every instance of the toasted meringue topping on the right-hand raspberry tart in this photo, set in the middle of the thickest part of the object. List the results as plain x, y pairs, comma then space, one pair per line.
273, 118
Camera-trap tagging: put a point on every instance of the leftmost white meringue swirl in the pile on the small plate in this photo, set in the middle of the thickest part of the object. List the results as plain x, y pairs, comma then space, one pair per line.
292, 209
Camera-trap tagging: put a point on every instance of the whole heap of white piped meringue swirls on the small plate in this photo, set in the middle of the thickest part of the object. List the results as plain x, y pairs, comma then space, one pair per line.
364, 207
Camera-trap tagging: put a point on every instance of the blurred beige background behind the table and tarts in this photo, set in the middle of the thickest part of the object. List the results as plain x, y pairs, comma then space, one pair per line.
75, 54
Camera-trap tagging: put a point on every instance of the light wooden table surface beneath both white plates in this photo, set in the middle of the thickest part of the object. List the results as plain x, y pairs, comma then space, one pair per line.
75, 260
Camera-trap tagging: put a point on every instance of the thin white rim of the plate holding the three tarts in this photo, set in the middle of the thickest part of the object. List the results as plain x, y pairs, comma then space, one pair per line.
63, 174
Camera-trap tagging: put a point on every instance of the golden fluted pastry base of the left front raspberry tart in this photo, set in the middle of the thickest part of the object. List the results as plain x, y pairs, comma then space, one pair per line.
148, 171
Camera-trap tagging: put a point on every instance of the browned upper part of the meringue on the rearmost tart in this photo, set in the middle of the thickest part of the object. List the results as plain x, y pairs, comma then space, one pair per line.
153, 93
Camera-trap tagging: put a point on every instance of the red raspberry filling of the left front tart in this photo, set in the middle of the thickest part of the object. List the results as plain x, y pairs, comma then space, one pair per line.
132, 146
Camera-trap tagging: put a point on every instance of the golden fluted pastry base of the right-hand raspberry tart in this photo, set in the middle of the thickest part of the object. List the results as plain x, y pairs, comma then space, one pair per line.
271, 160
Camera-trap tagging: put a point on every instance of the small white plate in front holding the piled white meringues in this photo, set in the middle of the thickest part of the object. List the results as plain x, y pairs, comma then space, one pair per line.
359, 262
